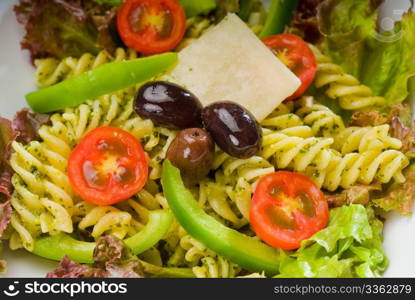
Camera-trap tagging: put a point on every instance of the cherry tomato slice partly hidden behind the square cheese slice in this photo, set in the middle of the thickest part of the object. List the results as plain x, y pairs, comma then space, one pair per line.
297, 56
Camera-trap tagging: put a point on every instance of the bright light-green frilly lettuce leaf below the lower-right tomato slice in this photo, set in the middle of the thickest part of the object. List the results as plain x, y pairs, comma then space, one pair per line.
350, 246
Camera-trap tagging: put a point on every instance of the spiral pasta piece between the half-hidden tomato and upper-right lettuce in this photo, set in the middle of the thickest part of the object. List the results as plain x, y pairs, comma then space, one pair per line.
352, 95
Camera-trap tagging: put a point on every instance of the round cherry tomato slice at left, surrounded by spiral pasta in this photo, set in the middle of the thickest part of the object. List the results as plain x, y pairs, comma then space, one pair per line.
107, 166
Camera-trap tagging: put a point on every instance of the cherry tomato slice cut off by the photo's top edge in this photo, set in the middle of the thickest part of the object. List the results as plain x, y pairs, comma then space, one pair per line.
151, 26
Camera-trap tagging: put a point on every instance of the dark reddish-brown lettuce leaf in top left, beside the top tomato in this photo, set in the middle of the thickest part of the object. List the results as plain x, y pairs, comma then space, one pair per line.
61, 28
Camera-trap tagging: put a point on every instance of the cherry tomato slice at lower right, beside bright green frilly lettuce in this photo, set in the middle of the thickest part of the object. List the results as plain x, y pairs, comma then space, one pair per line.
286, 209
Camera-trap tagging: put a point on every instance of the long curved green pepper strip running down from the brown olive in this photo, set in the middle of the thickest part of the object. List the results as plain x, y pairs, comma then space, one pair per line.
239, 248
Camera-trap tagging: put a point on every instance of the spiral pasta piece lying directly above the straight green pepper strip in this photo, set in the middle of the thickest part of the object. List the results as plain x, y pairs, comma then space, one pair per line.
50, 70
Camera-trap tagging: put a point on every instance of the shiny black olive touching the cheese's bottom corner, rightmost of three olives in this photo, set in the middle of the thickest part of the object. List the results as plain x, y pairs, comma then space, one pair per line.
234, 129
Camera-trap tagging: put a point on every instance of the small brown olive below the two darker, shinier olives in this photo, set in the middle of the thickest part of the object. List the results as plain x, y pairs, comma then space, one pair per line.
192, 152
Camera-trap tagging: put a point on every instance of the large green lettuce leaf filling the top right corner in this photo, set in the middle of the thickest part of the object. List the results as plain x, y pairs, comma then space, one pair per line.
384, 61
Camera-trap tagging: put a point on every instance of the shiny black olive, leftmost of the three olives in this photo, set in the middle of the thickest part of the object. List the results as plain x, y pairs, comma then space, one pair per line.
168, 105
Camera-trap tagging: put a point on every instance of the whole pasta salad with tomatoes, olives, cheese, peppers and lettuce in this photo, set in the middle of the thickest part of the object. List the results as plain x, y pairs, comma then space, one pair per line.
209, 139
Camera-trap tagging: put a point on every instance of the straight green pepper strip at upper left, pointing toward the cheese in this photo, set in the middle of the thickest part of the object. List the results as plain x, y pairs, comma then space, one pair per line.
105, 79
